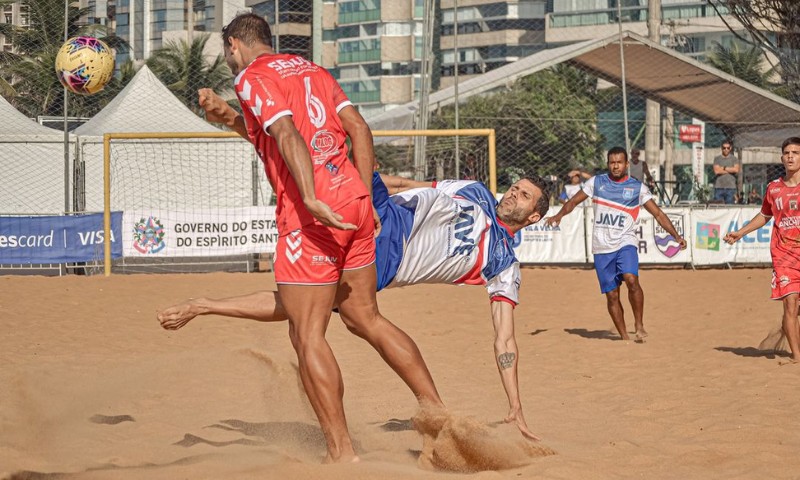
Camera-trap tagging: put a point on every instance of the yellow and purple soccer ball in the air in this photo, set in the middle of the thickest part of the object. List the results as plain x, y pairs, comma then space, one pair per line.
84, 65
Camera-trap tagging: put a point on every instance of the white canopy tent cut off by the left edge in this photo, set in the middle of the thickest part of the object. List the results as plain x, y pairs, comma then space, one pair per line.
32, 165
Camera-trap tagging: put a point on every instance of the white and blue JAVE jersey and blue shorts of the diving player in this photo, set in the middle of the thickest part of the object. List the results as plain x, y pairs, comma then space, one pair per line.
454, 234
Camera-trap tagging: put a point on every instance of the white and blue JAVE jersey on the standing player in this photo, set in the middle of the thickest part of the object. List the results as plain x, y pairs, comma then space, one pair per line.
616, 209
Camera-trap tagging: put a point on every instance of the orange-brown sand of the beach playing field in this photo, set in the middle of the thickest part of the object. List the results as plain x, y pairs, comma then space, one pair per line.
93, 388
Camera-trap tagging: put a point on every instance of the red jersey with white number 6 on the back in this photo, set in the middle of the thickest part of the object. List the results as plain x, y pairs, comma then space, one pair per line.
273, 86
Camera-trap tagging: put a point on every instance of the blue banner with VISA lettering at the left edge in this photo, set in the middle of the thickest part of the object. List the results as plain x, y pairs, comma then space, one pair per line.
57, 239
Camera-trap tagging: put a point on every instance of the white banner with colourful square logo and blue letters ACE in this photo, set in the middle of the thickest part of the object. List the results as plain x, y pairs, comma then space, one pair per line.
711, 225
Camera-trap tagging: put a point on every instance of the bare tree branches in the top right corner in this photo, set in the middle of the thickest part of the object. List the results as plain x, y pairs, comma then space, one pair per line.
773, 26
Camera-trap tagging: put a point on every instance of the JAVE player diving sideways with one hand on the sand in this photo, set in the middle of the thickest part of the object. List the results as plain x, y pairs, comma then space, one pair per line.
453, 231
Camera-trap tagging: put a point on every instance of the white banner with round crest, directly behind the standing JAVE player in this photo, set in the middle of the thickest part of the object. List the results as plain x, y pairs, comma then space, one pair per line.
655, 244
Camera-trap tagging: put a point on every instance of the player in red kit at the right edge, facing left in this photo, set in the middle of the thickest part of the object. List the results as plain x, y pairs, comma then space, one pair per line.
782, 202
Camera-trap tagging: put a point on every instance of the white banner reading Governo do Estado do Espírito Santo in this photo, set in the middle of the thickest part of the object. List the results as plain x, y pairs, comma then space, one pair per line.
199, 233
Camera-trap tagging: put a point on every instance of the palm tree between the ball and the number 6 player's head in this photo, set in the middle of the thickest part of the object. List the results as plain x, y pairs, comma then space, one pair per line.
184, 68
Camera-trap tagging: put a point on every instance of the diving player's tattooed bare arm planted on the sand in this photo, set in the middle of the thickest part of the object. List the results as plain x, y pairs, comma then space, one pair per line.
506, 356
